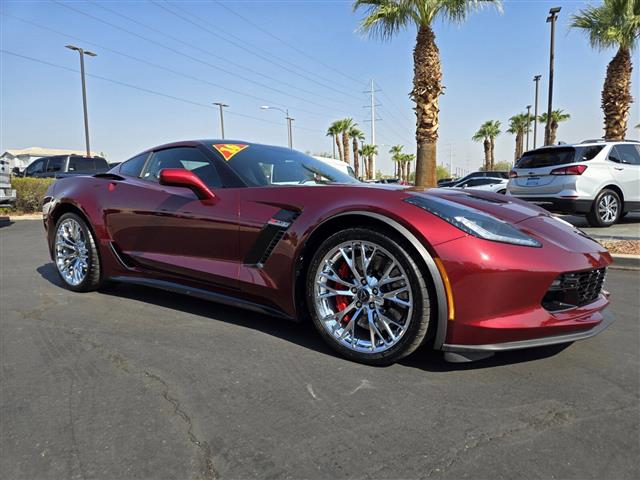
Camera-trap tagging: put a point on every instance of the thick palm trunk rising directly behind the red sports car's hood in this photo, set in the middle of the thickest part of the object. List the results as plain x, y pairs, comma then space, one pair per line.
427, 88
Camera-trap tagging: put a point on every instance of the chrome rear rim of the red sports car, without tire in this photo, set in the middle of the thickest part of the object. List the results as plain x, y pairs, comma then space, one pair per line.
72, 256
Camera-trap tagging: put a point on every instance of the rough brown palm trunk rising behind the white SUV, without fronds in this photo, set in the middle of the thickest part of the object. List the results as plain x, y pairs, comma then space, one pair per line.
616, 95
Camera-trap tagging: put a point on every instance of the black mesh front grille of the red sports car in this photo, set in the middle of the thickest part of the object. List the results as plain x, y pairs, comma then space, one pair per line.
574, 289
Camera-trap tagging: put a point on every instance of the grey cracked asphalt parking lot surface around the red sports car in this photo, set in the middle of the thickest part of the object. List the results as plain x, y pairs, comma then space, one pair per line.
137, 383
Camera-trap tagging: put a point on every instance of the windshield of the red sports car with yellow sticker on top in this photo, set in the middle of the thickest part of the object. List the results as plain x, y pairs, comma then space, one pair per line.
261, 165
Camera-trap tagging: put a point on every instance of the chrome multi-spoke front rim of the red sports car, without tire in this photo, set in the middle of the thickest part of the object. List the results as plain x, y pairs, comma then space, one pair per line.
363, 297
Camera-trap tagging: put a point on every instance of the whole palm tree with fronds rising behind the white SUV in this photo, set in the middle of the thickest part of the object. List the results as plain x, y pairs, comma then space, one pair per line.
615, 23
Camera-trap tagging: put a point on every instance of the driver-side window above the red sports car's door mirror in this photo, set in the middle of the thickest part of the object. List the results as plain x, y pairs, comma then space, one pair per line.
183, 157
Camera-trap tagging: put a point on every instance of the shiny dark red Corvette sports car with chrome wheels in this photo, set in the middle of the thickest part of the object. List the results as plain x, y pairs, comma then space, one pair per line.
379, 269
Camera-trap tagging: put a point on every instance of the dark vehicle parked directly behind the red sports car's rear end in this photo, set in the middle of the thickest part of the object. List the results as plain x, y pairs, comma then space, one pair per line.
65, 165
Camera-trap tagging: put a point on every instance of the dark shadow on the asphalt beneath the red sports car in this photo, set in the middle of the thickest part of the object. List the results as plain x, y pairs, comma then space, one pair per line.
300, 333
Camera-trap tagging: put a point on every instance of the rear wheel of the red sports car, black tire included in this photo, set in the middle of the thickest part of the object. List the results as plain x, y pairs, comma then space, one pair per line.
75, 254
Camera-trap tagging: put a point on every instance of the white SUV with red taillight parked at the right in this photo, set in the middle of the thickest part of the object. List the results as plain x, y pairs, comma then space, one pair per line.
598, 178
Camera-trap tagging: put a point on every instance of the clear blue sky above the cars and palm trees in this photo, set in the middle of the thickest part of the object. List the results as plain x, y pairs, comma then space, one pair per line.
303, 55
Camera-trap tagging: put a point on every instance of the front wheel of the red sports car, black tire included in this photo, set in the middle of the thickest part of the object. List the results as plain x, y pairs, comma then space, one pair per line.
376, 320
